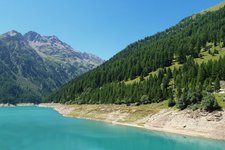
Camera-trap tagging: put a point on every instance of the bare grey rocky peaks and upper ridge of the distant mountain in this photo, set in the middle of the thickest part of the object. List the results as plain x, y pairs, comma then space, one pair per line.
52, 47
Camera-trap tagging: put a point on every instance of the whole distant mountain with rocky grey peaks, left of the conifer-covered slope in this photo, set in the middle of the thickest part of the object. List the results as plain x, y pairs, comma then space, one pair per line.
32, 65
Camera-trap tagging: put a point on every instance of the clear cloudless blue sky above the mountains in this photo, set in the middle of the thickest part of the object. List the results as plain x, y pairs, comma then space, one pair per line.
101, 27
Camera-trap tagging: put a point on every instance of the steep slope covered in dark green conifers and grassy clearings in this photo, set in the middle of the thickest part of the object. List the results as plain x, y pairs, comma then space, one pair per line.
182, 64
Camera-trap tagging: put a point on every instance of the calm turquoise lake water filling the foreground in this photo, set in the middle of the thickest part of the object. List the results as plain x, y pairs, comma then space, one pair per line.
33, 128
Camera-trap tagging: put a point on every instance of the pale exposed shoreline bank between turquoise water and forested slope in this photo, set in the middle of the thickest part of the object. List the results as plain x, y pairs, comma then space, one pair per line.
186, 122
